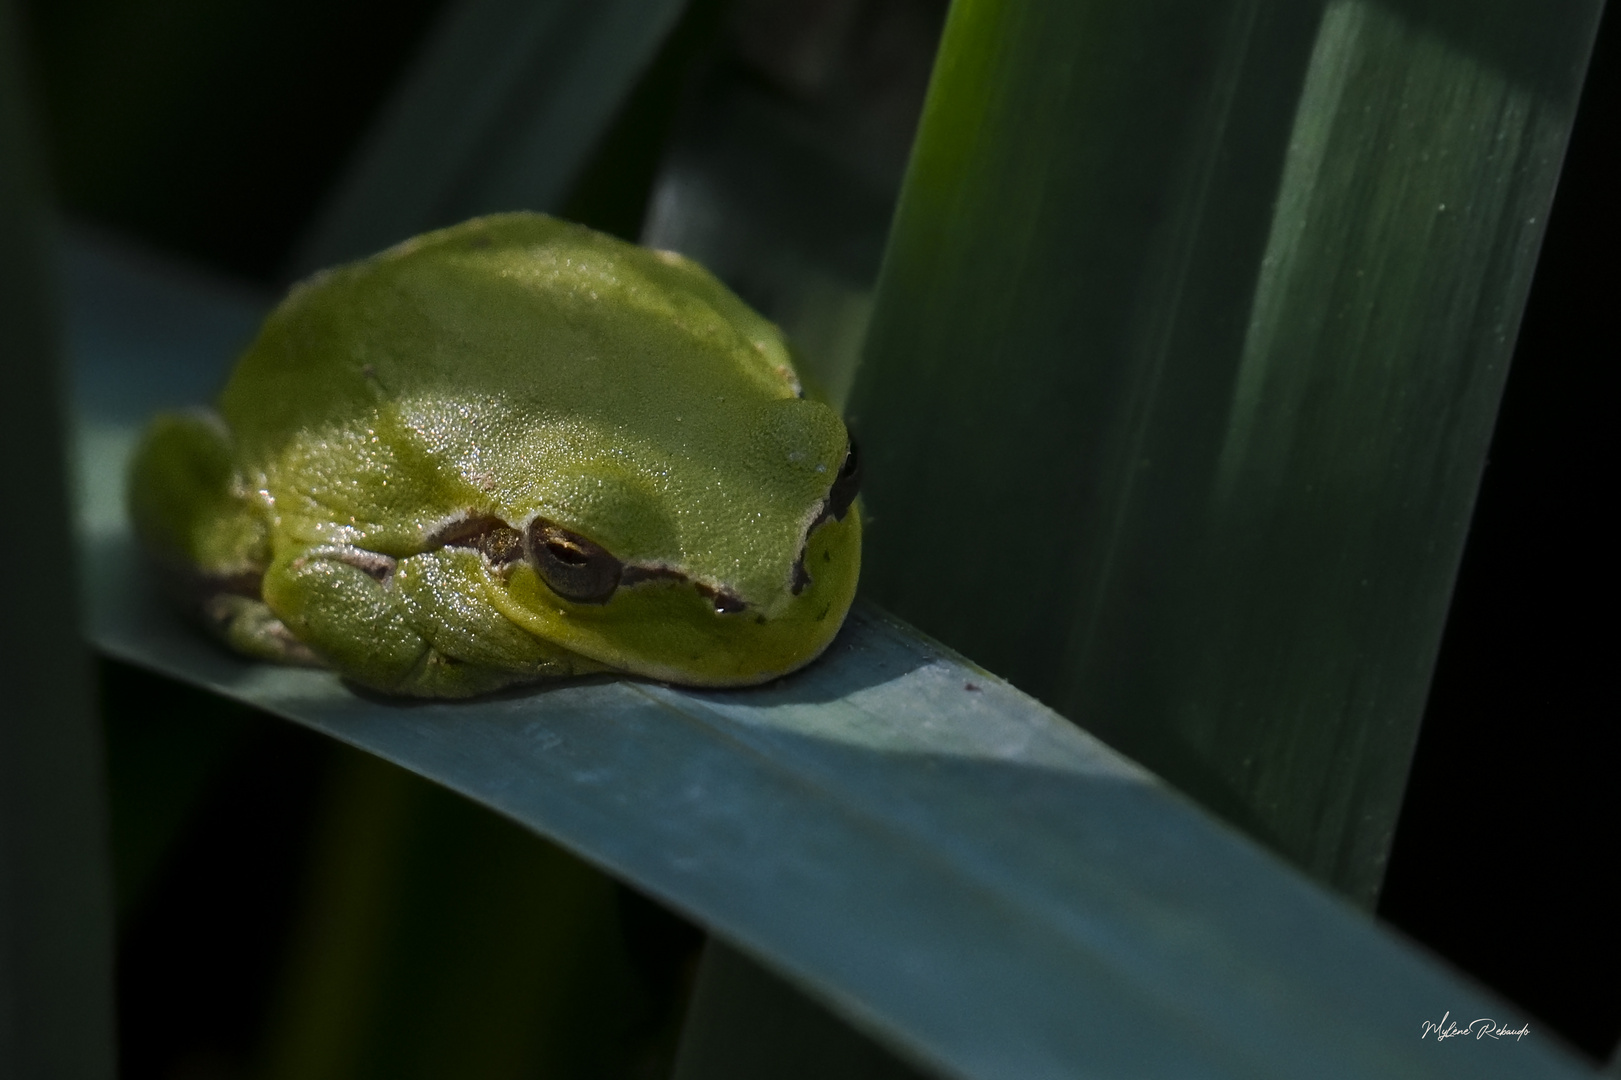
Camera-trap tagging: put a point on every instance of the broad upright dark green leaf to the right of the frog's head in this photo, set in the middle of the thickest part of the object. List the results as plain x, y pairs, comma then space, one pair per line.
1186, 361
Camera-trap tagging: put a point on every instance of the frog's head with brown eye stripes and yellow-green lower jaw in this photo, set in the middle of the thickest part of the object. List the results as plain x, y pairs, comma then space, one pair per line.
724, 568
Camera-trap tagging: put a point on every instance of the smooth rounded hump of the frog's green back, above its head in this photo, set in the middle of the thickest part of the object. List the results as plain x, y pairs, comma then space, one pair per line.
521, 312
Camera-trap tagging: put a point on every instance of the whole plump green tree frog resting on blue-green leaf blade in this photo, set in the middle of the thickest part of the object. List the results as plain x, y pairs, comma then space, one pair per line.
510, 372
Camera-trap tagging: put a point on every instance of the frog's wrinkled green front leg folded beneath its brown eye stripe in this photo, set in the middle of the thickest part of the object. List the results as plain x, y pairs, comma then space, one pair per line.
419, 625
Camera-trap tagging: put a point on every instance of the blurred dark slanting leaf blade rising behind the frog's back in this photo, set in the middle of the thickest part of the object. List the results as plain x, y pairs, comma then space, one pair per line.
500, 113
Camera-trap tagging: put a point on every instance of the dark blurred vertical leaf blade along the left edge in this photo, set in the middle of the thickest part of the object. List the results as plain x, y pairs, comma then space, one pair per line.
56, 912
